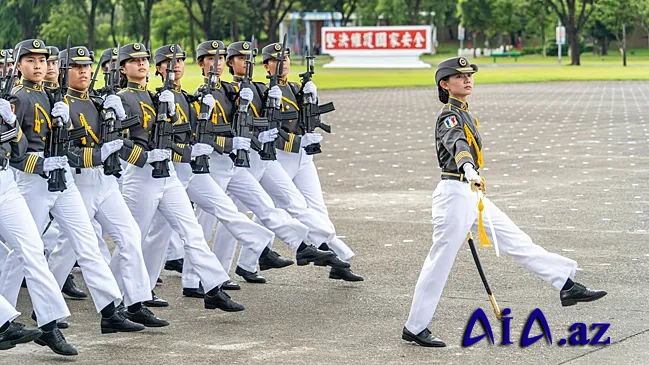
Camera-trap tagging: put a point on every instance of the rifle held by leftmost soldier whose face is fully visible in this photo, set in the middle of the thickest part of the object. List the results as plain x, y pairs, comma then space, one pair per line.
60, 136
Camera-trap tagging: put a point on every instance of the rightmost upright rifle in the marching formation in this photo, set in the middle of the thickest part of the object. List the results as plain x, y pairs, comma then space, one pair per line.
310, 112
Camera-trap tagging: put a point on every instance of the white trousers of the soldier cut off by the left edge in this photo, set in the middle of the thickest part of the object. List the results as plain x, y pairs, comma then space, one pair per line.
26, 259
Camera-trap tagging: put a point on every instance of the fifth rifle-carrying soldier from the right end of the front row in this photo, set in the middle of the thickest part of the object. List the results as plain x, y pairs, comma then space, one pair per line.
162, 194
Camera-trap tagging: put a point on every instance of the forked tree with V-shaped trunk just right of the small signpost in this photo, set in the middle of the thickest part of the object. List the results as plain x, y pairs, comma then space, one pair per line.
573, 15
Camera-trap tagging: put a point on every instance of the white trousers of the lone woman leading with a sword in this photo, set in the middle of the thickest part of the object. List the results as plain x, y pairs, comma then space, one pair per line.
454, 214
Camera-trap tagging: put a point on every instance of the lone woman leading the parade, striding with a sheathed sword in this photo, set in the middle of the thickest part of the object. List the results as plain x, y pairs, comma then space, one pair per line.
459, 153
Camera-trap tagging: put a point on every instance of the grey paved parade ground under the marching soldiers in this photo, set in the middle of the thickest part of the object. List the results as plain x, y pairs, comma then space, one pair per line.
566, 161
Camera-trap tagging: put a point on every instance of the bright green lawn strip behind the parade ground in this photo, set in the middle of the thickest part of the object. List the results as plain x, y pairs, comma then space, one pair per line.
532, 68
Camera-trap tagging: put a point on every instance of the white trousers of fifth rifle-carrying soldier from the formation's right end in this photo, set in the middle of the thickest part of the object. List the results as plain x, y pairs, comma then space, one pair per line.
145, 196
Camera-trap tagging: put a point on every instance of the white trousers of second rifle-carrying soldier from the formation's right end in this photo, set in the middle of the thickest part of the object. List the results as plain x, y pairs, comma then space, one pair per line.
285, 195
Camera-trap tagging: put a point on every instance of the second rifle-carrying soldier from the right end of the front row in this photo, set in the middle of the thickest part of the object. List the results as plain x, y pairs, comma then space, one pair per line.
274, 179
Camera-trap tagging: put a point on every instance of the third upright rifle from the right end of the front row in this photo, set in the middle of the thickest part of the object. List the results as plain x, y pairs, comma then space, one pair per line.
244, 123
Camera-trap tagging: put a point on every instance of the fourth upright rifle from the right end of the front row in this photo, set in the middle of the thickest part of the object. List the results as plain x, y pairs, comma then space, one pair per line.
204, 129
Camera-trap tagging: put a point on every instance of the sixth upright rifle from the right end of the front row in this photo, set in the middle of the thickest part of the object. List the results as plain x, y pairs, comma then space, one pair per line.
111, 127
